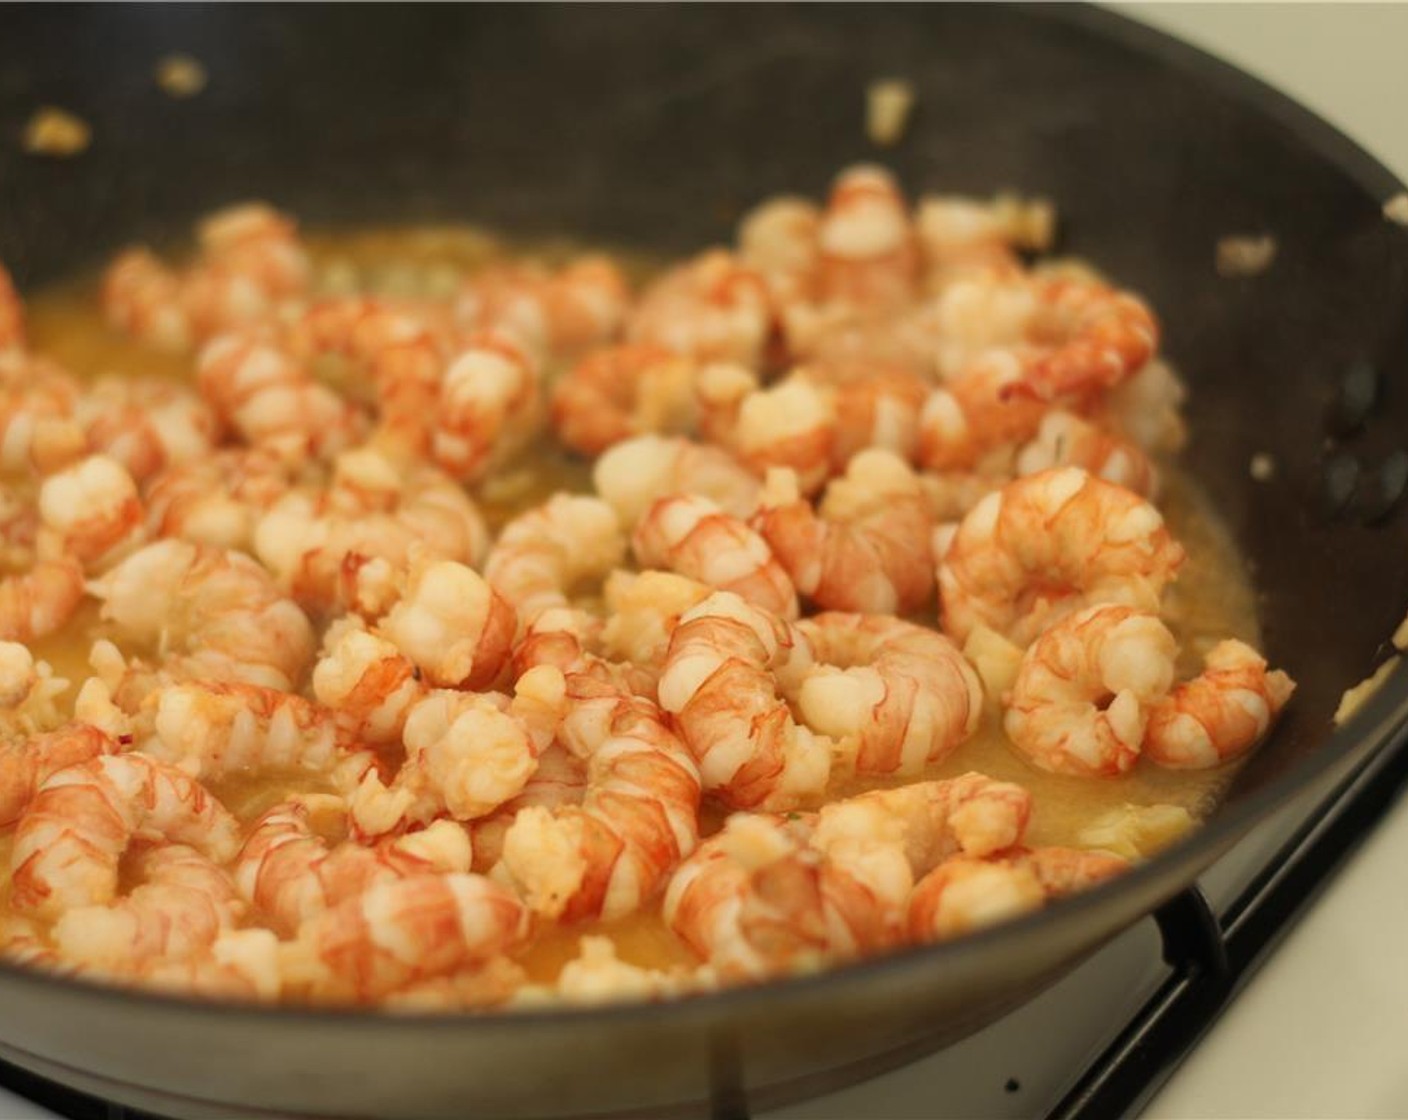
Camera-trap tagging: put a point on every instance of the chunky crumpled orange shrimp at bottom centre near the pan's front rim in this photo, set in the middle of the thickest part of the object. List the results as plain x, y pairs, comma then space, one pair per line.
757, 901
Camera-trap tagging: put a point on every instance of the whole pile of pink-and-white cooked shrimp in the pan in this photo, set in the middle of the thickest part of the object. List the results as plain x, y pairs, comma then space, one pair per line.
354, 733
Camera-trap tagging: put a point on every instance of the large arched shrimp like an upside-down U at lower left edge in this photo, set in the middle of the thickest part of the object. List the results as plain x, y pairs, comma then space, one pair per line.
82, 819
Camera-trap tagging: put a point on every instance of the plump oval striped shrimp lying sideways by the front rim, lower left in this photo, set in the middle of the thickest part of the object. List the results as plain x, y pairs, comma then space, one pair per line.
403, 933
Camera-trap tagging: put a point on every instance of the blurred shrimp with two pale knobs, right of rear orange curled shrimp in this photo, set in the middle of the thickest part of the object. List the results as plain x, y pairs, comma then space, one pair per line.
788, 425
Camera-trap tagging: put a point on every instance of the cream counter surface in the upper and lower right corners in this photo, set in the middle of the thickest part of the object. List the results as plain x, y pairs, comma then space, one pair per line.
1320, 1032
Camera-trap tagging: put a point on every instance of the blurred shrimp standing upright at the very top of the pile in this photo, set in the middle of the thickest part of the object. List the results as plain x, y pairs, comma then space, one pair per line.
868, 247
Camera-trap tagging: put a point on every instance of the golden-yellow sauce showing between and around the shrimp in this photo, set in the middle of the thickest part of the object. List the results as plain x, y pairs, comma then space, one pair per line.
1213, 598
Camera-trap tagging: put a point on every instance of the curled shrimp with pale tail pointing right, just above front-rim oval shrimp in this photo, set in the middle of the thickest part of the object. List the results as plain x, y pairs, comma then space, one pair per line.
291, 874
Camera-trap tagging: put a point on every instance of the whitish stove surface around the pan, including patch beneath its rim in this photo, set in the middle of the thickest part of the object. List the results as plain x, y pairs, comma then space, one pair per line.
1319, 1033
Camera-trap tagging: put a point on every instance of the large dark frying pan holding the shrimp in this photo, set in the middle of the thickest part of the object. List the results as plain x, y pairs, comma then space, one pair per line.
658, 126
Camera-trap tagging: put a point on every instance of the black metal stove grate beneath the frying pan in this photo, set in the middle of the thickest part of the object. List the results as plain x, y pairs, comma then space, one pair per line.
1212, 962
